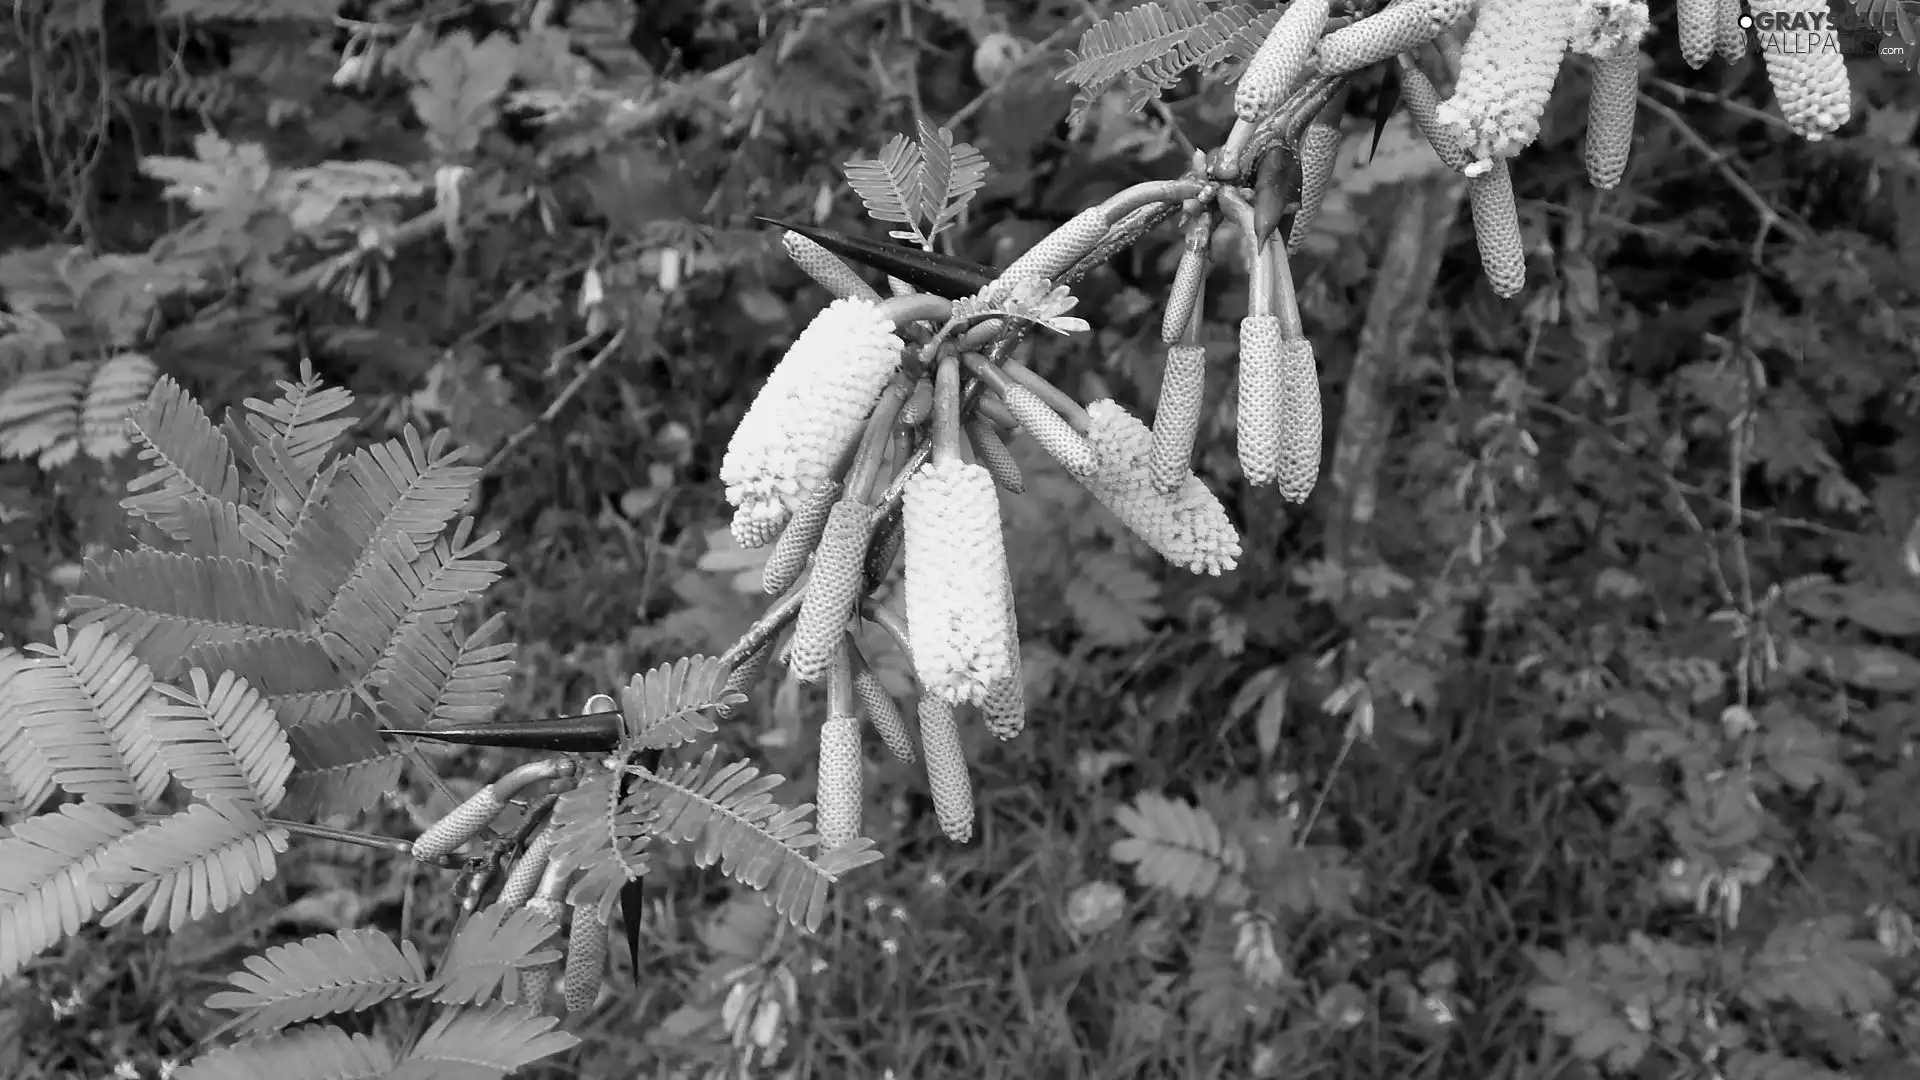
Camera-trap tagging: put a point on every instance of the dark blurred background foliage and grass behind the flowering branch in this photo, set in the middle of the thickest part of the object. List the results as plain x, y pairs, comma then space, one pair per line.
1466, 772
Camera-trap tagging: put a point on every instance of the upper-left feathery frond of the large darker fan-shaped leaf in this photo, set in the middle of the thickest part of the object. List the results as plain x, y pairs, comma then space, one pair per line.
189, 462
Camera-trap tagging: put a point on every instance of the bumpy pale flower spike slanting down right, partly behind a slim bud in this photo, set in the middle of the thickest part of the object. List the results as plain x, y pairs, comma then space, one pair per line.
1189, 528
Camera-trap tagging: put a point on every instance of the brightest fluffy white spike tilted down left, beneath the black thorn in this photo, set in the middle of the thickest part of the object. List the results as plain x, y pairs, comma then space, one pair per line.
813, 406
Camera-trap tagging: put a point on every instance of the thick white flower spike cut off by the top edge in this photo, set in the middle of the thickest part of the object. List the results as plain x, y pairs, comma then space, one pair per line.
1506, 74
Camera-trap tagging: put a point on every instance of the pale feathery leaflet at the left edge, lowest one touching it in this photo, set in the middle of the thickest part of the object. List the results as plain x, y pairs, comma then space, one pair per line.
49, 885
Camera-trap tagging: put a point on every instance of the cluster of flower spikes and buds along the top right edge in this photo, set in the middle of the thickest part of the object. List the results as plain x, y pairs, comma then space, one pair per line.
1506, 72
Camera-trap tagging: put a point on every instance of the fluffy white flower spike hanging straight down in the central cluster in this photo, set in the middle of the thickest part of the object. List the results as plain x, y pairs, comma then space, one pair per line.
955, 572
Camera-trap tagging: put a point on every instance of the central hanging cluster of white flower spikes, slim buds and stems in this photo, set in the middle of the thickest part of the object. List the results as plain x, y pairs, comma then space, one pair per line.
882, 437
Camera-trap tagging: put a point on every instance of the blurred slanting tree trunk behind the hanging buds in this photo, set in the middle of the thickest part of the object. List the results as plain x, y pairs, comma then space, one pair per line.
1395, 314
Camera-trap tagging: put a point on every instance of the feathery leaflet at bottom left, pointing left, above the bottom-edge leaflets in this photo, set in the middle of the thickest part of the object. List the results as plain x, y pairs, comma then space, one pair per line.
322, 977
